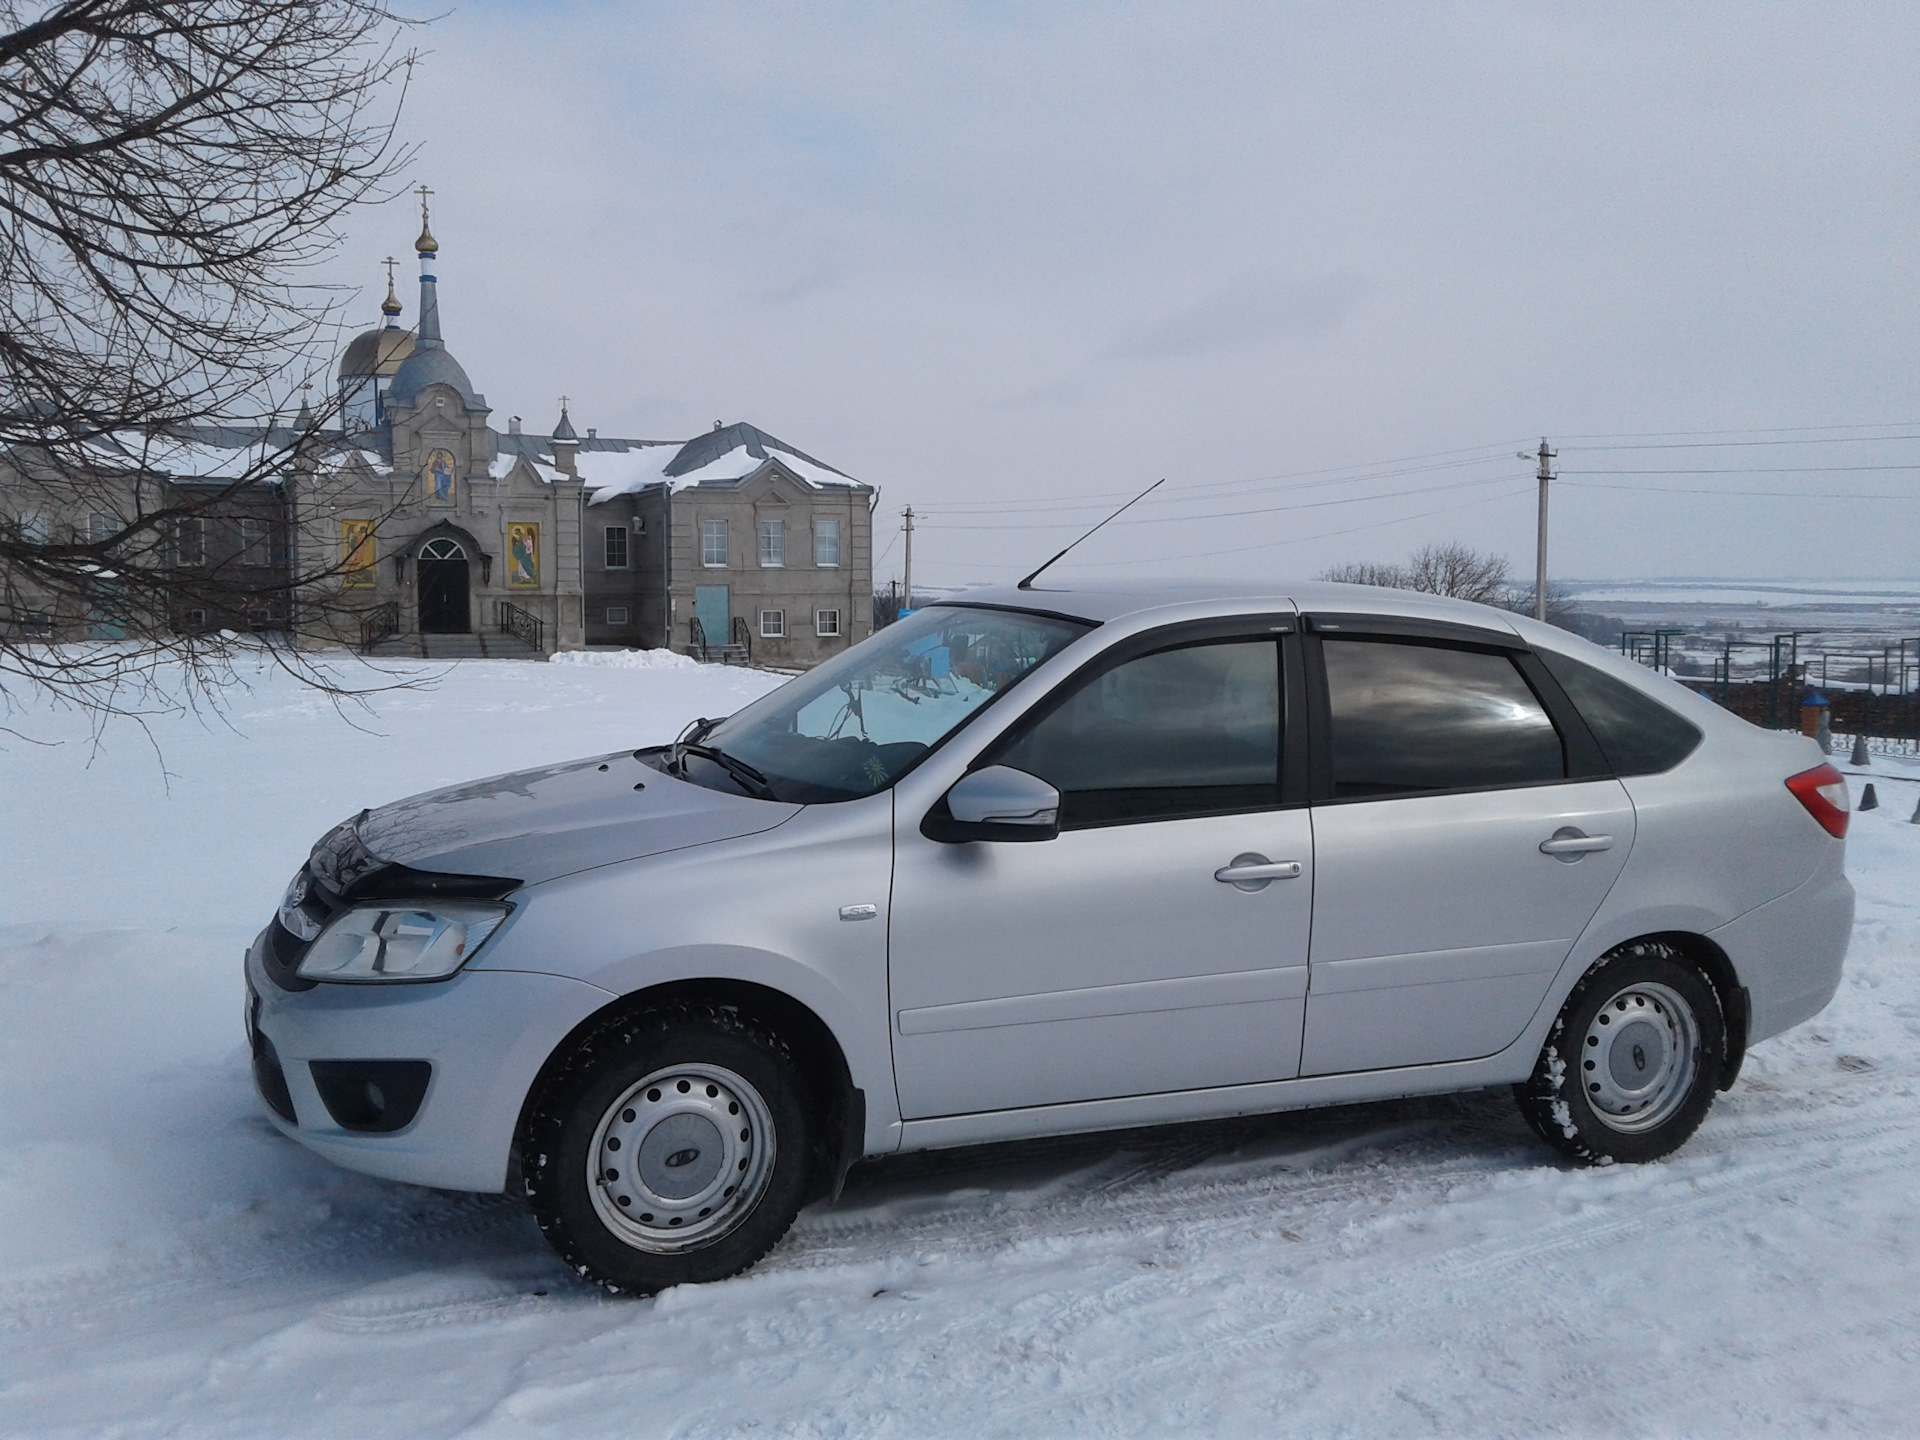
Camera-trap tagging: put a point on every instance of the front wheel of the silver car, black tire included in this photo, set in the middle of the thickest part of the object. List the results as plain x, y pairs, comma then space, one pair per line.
669, 1147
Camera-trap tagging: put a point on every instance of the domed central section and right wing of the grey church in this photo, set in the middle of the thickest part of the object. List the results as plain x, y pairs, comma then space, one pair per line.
729, 546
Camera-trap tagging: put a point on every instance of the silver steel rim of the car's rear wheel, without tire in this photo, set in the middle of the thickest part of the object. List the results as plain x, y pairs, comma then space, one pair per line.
1639, 1059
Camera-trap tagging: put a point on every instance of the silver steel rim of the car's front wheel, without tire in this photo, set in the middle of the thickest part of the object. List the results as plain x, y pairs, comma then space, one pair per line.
681, 1159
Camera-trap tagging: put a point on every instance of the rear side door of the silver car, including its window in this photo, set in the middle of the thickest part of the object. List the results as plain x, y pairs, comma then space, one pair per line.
1466, 832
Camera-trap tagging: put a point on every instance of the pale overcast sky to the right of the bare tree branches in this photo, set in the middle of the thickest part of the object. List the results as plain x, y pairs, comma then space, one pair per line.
1324, 268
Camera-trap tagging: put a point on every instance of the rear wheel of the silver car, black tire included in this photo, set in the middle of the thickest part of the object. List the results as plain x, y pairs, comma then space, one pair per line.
1631, 1065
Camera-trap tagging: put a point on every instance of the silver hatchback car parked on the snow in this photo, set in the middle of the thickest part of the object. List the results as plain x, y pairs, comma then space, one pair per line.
1057, 861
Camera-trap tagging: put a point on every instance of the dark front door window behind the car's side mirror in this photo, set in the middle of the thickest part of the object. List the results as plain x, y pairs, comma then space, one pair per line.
1180, 732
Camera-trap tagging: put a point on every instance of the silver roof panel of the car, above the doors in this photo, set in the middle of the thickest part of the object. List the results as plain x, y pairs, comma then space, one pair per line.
1105, 604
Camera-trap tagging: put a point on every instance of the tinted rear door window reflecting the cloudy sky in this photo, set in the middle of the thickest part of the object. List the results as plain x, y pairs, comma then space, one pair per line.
1418, 717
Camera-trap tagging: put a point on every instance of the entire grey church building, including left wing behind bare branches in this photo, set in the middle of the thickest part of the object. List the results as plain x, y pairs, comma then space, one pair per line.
420, 527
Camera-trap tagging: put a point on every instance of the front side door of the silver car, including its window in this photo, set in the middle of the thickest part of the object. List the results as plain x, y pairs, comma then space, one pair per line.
1111, 959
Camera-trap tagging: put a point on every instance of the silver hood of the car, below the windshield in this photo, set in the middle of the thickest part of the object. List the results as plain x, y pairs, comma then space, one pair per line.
539, 825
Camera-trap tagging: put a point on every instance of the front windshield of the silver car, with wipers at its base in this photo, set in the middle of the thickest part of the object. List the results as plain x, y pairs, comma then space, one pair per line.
865, 719
